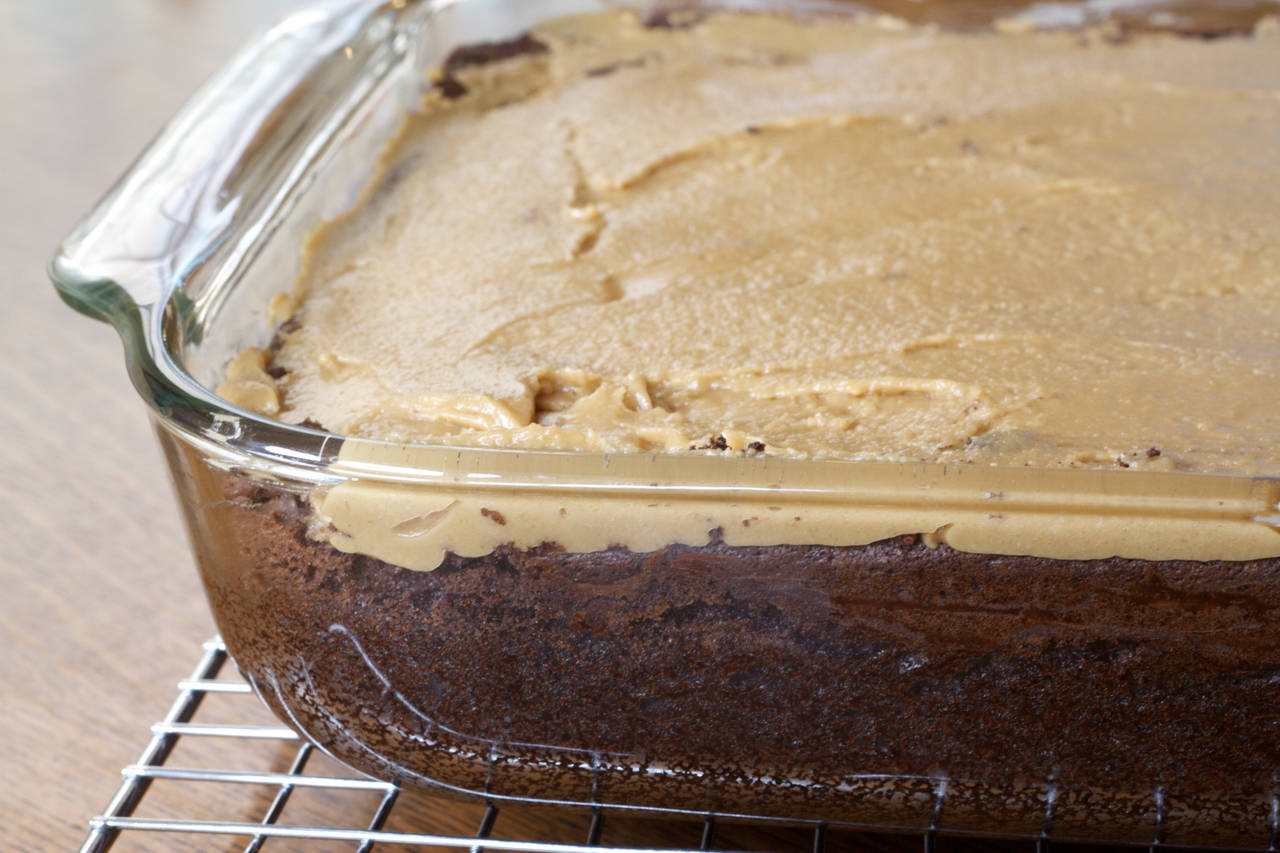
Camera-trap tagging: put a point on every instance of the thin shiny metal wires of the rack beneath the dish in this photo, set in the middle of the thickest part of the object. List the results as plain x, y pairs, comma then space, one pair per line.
120, 818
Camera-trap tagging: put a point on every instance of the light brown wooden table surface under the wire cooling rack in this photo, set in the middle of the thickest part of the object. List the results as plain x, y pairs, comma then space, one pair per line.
100, 610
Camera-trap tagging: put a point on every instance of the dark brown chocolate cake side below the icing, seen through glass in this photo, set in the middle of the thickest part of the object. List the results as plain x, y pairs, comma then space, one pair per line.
583, 677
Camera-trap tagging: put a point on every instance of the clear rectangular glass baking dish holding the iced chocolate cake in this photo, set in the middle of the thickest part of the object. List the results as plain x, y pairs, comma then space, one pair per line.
867, 677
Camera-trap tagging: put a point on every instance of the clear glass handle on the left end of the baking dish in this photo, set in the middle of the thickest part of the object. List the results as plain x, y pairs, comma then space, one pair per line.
184, 198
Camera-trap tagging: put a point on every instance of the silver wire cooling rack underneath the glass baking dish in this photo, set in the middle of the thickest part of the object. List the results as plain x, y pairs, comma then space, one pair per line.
277, 788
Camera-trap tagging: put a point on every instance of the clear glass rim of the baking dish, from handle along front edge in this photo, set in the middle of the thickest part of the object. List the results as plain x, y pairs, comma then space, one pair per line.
143, 298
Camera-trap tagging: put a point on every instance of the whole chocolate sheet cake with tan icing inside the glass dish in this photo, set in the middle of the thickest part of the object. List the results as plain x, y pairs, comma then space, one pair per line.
769, 239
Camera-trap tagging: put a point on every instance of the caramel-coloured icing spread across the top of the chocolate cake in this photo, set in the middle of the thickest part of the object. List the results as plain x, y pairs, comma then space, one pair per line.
815, 239
